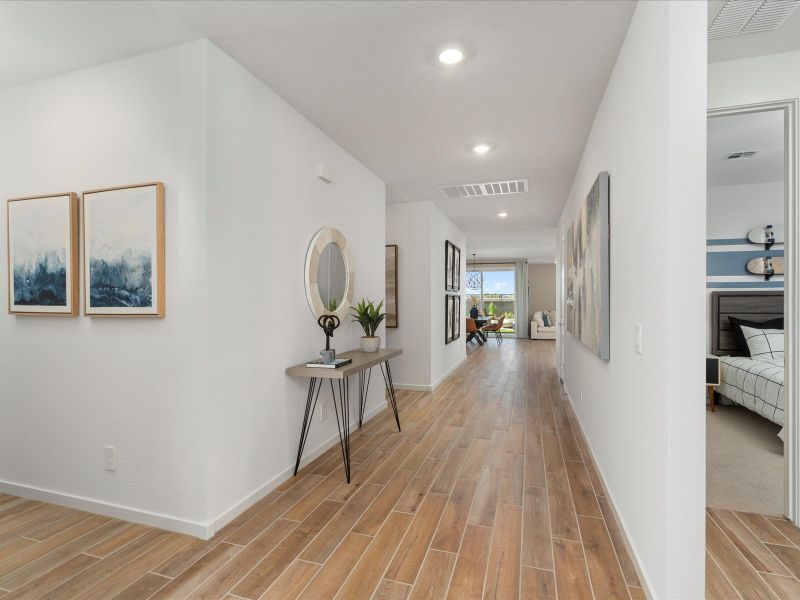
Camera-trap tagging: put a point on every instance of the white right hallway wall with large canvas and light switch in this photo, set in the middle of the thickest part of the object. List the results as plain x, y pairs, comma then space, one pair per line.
640, 413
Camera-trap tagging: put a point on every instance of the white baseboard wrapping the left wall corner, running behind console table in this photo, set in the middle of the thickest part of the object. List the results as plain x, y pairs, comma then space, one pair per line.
201, 529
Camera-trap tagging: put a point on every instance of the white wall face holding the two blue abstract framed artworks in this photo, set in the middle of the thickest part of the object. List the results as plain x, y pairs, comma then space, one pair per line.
71, 385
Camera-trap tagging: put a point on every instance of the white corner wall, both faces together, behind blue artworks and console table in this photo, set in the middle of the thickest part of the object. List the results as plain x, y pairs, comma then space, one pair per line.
203, 417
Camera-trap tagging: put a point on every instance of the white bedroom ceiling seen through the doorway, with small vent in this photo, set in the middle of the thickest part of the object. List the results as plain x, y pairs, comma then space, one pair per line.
756, 131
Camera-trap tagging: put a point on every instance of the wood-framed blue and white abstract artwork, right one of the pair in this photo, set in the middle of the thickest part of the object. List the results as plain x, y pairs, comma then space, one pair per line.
123, 231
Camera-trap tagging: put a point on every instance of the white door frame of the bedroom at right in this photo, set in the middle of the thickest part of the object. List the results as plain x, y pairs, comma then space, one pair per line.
791, 293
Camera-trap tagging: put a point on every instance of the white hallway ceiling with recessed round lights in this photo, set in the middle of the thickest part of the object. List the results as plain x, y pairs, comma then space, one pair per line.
365, 73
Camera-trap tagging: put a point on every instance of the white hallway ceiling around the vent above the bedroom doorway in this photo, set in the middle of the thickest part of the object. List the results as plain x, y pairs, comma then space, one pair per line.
785, 39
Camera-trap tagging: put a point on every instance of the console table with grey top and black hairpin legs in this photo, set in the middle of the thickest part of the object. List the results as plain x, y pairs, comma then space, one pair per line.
362, 363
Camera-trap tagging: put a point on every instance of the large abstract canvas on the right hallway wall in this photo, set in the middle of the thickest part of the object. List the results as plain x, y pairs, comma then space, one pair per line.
587, 271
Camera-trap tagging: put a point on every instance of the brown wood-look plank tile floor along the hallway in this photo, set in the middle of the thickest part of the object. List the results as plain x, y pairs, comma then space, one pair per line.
488, 492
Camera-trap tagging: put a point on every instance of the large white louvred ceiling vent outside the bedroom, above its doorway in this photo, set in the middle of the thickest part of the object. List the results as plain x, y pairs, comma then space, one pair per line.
750, 16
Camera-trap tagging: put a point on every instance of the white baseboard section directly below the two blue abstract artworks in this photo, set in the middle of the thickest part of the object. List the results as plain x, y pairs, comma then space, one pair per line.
108, 509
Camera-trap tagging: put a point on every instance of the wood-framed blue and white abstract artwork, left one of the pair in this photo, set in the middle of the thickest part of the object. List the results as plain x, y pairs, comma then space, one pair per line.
42, 233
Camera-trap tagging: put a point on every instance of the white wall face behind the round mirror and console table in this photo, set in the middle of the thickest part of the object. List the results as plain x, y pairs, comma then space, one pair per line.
265, 204
